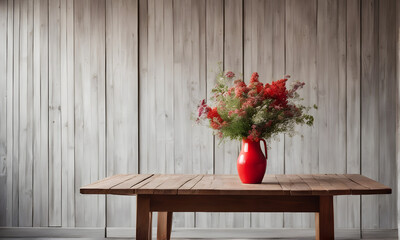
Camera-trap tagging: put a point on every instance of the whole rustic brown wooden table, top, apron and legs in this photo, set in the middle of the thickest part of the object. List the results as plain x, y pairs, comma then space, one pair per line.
225, 193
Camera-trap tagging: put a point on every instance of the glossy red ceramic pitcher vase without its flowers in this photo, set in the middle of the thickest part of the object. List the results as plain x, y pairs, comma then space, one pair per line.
251, 162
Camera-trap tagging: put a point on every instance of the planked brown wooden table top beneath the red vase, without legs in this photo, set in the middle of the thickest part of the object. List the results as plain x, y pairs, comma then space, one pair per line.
192, 184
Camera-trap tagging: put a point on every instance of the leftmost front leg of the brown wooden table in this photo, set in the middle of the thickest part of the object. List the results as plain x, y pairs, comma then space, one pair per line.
143, 218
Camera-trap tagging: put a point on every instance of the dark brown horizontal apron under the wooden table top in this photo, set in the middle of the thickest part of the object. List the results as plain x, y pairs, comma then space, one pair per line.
232, 203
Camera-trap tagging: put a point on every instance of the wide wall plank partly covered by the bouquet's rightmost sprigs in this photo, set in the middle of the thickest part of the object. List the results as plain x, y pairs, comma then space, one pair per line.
301, 151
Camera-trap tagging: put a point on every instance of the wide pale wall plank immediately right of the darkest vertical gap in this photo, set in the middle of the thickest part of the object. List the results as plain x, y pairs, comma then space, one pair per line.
156, 87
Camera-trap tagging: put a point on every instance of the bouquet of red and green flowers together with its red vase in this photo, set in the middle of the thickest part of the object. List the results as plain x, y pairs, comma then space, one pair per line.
252, 113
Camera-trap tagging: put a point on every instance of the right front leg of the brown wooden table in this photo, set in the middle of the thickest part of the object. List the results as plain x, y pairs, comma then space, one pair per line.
324, 221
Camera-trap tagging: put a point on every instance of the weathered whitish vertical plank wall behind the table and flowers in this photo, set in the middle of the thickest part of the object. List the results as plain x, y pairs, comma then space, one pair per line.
91, 88
